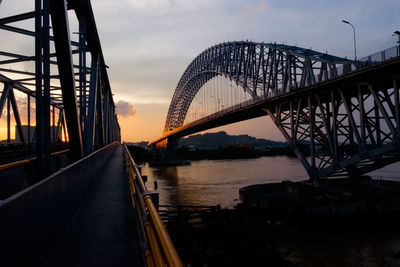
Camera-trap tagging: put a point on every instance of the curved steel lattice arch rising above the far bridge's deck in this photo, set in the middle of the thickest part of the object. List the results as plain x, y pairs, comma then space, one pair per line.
262, 69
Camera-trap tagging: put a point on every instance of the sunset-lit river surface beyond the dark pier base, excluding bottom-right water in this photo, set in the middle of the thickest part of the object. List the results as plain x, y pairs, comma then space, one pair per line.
217, 182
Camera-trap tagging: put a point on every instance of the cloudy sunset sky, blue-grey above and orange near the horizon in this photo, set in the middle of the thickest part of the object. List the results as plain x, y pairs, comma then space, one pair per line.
149, 43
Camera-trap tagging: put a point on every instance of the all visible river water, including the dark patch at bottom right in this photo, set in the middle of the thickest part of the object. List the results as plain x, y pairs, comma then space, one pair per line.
216, 182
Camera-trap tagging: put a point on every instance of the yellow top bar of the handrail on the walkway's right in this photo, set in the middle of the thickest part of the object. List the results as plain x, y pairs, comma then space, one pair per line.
167, 246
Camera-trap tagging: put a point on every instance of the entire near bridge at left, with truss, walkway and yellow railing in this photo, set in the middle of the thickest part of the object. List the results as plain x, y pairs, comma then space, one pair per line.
81, 214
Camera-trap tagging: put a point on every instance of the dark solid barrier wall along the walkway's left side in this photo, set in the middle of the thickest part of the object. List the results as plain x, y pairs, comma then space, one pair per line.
34, 219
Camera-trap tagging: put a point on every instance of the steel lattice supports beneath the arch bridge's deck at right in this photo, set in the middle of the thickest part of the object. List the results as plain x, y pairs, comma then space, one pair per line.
344, 130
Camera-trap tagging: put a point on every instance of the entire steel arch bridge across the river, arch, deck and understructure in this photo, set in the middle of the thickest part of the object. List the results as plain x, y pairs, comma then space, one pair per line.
339, 117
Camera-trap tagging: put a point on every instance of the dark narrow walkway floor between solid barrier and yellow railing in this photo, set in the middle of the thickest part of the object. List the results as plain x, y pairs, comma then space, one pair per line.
103, 231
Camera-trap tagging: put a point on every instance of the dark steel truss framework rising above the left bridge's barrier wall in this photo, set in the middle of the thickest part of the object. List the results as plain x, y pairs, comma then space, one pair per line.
78, 93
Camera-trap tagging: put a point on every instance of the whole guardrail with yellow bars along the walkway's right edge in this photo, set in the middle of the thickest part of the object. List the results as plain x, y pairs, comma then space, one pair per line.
158, 248
